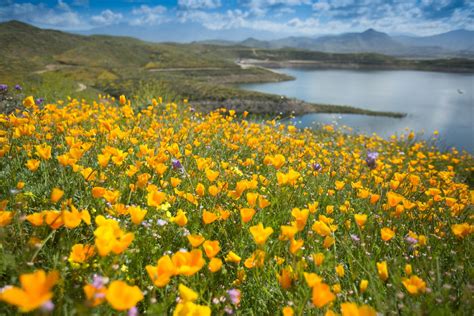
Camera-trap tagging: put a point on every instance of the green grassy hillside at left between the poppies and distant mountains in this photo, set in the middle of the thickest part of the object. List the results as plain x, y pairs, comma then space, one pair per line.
115, 65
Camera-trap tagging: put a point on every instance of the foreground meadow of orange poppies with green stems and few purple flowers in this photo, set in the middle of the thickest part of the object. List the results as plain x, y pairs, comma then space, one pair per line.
115, 206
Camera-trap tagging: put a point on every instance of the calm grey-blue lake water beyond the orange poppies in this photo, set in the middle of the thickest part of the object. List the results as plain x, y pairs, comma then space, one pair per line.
432, 100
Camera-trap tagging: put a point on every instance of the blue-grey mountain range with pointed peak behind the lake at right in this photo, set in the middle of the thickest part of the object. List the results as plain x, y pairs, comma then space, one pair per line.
459, 43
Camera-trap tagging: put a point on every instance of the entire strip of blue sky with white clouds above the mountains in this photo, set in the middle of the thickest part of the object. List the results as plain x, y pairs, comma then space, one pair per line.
278, 17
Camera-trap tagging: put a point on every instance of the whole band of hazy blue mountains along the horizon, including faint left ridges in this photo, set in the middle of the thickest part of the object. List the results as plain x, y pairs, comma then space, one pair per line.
457, 43
